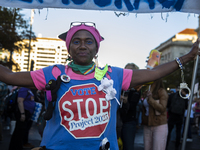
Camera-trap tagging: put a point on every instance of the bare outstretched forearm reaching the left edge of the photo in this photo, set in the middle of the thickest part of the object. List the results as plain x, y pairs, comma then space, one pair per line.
15, 78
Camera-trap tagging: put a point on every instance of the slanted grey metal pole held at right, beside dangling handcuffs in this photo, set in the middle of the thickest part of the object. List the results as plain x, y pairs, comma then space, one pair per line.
191, 97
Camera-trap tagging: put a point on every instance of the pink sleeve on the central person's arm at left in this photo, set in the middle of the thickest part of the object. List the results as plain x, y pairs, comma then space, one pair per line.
38, 79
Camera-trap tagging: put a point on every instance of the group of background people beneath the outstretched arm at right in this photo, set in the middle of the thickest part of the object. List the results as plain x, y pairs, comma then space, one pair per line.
161, 123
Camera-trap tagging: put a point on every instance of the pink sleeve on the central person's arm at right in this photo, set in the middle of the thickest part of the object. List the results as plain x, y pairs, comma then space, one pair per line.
127, 77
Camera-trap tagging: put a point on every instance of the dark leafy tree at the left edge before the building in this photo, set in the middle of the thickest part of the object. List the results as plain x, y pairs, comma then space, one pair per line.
13, 30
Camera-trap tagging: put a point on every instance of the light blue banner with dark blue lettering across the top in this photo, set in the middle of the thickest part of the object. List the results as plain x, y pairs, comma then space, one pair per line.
132, 6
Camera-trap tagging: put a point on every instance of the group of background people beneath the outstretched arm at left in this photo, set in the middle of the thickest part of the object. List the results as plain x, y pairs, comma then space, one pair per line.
17, 112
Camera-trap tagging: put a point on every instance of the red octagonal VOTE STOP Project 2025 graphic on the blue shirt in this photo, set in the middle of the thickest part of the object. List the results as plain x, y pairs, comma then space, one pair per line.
84, 111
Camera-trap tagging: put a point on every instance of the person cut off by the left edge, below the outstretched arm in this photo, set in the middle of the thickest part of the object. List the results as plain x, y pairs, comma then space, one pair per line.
3, 92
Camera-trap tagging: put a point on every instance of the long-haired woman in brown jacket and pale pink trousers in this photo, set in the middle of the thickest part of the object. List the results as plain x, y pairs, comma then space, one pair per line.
154, 117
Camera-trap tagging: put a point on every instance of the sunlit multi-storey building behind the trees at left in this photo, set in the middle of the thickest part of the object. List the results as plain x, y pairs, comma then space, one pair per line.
44, 52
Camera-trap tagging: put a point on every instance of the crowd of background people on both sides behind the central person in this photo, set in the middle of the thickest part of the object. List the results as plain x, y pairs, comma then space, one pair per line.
157, 120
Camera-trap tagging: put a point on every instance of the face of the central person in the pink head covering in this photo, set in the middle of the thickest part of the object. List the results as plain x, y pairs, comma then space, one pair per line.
83, 47
